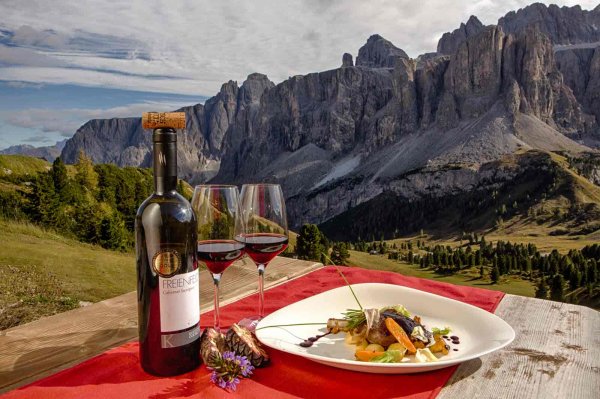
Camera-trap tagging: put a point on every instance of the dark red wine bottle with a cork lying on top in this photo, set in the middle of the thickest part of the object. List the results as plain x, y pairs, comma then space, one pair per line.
166, 259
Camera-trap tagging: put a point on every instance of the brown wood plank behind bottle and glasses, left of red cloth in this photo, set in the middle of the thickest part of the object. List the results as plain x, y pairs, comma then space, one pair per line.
51, 344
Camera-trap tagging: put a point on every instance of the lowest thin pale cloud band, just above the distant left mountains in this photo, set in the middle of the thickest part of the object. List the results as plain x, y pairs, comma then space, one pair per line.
67, 121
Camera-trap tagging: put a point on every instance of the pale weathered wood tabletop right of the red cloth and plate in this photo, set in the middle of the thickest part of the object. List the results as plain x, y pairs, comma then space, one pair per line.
556, 354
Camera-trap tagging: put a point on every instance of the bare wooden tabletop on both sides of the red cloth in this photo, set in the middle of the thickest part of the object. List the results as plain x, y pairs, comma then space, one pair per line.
555, 354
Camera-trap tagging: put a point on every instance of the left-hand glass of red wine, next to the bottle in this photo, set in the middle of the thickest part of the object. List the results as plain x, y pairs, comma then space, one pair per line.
219, 223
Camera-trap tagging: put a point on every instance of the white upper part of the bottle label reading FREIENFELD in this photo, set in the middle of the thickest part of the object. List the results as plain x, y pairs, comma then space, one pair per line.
179, 301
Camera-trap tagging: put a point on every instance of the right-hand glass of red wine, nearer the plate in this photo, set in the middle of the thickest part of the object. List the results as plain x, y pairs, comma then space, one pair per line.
266, 235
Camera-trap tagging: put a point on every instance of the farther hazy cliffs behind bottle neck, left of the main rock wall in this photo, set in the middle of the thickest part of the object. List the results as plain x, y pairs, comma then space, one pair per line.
122, 141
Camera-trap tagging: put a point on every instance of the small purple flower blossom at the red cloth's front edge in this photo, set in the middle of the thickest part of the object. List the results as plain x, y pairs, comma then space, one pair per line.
226, 369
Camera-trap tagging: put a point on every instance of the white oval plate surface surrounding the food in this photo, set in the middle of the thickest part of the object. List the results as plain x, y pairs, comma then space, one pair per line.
480, 332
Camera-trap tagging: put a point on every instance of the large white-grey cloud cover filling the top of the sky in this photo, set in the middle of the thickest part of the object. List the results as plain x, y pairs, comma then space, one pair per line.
205, 43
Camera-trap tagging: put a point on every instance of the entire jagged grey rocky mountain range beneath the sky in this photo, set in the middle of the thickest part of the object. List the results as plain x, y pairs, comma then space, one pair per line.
430, 127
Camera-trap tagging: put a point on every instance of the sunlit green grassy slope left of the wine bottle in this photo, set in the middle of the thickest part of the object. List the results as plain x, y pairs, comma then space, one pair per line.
43, 273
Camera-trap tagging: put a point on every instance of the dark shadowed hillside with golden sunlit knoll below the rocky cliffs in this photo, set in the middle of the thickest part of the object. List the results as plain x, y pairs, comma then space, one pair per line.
545, 198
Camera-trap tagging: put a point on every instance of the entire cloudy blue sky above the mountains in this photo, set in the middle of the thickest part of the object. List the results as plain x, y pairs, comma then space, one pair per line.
69, 61
